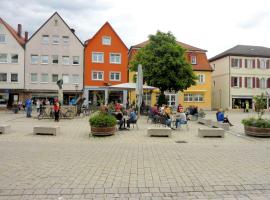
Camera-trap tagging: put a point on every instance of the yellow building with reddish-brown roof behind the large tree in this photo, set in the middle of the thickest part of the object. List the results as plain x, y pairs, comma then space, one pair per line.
197, 95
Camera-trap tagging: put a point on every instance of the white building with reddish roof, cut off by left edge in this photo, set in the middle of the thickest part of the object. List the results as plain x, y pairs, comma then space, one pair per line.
11, 64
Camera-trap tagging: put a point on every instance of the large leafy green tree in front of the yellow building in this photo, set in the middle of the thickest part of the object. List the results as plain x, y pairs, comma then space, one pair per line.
164, 64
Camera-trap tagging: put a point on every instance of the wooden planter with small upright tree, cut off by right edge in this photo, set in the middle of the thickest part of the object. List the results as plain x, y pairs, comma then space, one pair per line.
258, 126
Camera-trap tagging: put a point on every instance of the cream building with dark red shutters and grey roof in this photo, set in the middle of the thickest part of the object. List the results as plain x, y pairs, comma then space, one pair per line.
240, 73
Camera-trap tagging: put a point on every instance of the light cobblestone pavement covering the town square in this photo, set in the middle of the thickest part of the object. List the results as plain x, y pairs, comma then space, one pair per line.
130, 165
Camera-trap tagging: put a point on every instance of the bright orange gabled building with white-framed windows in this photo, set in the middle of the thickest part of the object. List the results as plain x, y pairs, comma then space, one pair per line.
106, 64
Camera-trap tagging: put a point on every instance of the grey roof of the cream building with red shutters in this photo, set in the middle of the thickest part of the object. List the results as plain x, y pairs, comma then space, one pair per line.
244, 50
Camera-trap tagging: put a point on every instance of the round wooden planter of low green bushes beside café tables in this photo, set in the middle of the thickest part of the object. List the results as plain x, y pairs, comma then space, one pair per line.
102, 124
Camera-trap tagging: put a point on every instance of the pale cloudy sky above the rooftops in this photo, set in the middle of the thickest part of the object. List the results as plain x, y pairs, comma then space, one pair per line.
213, 25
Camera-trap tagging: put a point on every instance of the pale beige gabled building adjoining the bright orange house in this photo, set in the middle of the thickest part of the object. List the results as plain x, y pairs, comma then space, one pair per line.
54, 52
